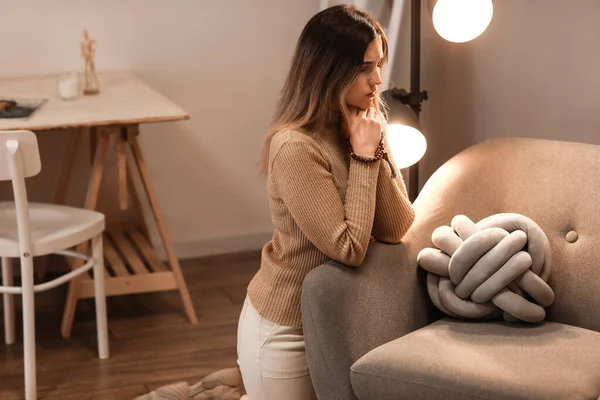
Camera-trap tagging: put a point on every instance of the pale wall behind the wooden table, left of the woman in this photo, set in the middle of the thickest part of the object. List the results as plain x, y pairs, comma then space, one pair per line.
222, 61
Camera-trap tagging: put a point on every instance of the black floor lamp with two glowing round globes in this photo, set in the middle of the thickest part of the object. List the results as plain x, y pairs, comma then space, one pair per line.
456, 21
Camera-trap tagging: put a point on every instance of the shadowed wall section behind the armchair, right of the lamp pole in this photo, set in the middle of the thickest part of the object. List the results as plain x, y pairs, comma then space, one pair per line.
533, 73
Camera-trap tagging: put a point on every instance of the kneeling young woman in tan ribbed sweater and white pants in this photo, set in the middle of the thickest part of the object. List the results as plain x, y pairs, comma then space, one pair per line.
332, 188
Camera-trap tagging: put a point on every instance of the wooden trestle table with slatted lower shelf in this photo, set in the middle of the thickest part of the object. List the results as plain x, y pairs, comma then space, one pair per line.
124, 102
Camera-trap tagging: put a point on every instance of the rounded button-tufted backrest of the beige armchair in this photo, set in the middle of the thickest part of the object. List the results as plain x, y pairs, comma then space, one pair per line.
555, 183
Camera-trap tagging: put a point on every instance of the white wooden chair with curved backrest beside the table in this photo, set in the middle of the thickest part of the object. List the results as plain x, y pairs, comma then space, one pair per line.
33, 229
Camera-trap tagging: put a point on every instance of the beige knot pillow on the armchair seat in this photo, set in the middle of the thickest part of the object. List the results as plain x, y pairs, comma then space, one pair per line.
498, 266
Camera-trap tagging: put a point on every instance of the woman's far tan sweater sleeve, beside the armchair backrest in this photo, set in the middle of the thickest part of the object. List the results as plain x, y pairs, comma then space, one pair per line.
394, 213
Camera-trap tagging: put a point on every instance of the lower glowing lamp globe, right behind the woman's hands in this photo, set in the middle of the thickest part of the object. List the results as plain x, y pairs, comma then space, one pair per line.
407, 145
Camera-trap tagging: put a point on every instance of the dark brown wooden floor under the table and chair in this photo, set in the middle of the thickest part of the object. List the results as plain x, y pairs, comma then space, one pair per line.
151, 341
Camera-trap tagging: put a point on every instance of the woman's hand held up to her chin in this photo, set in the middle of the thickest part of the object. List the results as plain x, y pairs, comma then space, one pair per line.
365, 132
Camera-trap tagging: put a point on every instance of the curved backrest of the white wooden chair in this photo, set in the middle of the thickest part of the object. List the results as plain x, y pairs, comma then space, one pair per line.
19, 145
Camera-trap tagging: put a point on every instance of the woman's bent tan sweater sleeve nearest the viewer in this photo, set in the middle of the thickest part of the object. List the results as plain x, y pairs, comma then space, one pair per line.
340, 230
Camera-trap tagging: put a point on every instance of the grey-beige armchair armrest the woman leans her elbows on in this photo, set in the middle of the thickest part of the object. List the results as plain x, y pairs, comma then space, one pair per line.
348, 311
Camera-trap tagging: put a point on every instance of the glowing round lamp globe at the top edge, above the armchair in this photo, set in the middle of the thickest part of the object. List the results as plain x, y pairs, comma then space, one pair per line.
461, 20
